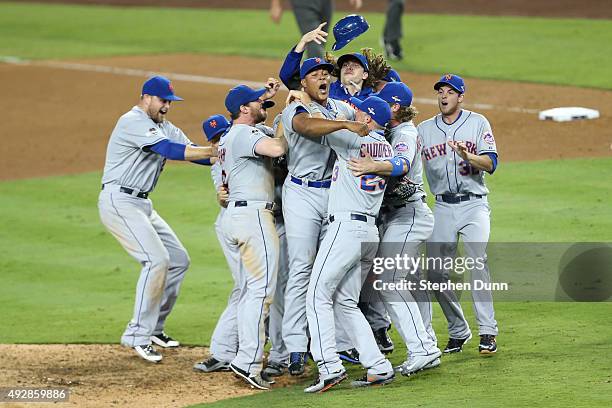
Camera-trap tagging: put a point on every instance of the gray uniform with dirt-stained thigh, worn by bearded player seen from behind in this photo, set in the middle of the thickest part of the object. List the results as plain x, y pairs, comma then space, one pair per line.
248, 227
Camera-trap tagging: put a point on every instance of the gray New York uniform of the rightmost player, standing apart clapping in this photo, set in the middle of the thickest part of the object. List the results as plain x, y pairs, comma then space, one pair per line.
461, 209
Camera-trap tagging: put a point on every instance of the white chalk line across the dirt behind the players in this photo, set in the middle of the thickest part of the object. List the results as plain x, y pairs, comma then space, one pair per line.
206, 79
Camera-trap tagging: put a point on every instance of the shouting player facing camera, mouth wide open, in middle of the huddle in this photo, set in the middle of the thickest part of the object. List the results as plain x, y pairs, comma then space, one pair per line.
307, 187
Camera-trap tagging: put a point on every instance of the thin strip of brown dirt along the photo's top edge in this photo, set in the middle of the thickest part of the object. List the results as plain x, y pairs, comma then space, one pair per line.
540, 8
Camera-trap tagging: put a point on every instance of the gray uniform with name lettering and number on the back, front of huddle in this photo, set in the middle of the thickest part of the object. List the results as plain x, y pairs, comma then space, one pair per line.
345, 257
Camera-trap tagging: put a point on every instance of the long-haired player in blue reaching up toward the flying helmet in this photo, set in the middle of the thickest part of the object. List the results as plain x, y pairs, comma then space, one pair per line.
354, 69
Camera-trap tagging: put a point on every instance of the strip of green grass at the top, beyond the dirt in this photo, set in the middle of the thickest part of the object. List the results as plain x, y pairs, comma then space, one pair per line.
557, 51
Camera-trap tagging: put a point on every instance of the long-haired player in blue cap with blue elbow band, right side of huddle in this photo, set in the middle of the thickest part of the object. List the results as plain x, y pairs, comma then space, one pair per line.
406, 223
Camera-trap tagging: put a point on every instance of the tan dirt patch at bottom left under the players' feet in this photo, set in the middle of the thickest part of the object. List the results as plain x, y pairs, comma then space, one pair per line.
114, 376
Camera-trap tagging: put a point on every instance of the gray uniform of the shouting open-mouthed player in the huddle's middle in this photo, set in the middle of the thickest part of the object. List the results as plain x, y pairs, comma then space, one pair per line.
308, 161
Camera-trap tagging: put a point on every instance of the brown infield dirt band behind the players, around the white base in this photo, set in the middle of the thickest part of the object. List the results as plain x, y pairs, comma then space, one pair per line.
59, 120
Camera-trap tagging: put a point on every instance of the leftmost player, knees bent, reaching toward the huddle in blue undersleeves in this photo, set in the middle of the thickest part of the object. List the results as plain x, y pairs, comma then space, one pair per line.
138, 148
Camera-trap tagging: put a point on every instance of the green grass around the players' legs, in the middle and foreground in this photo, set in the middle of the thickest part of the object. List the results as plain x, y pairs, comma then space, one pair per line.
66, 280
